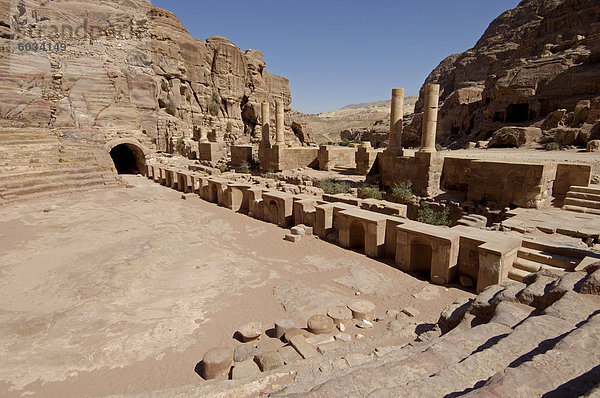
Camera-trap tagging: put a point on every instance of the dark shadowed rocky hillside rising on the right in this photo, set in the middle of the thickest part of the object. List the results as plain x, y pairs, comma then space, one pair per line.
540, 57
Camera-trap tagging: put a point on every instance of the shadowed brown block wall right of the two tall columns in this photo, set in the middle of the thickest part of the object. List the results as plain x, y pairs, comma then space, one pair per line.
521, 184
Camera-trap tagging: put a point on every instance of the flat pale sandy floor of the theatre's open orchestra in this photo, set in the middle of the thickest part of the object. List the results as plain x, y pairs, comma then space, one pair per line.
122, 291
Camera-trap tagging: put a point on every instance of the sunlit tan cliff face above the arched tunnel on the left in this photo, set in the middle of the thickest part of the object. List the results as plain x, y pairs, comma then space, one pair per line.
112, 68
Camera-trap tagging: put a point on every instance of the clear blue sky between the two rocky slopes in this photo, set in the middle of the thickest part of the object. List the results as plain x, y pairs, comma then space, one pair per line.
337, 52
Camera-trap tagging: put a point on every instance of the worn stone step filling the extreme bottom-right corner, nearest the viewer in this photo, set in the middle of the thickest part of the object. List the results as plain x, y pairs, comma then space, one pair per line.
551, 372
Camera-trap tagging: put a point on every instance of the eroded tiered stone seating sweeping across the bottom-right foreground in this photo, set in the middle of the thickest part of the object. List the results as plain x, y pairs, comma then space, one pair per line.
537, 338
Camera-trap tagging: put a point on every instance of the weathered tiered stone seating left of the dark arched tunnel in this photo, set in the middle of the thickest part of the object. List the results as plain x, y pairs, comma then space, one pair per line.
37, 163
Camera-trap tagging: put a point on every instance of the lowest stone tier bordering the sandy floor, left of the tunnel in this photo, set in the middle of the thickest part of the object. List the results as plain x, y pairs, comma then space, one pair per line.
55, 188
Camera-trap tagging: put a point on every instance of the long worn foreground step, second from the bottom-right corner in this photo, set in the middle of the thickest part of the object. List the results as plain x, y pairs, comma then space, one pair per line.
534, 336
